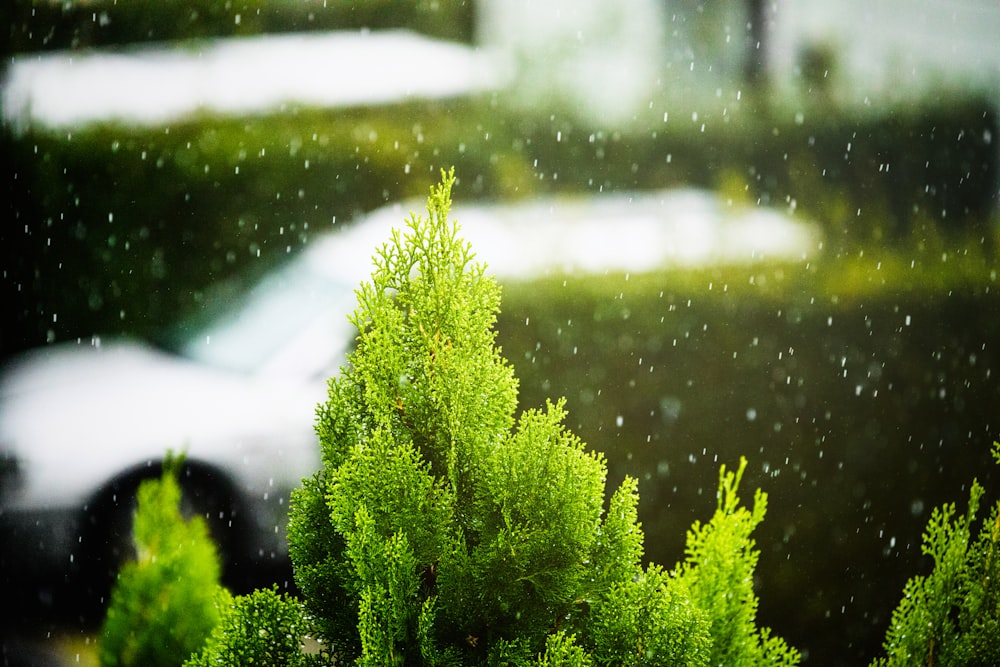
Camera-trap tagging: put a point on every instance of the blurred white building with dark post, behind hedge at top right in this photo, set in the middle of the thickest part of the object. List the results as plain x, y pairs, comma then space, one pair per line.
613, 60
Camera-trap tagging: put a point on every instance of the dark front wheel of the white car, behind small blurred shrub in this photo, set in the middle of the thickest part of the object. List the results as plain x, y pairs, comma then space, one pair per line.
106, 541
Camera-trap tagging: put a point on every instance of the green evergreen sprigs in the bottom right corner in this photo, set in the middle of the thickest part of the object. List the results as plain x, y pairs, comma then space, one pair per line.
952, 615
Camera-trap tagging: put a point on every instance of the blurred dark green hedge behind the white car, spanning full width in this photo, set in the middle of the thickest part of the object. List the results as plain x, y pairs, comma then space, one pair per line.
120, 229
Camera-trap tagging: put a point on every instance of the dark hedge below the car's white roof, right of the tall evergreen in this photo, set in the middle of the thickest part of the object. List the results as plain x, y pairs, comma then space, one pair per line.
864, 392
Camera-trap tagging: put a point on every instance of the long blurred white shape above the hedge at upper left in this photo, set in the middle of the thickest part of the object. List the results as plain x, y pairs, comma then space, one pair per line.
156, 84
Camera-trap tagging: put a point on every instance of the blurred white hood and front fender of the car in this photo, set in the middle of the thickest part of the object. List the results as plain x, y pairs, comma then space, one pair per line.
79, 415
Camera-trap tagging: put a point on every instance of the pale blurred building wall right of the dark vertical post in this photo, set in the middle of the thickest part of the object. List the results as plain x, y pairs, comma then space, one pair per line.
887, 51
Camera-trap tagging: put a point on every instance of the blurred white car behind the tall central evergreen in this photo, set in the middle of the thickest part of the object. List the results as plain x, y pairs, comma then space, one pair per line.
81, 424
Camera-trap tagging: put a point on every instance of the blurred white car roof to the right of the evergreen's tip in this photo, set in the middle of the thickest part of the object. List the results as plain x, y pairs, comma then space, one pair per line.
629, 232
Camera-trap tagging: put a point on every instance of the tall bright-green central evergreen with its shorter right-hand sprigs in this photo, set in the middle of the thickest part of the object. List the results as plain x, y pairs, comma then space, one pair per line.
443, 530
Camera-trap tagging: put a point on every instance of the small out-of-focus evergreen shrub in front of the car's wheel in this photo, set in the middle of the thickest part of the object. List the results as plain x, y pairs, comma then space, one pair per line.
162, 607
